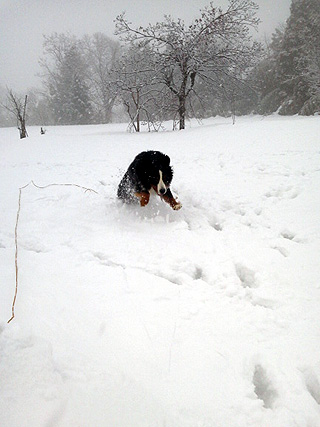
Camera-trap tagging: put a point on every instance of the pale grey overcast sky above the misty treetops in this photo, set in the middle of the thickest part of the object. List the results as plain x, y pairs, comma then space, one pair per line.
23, 23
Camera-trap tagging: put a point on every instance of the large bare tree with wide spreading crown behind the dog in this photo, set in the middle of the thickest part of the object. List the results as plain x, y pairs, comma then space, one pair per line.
215, 43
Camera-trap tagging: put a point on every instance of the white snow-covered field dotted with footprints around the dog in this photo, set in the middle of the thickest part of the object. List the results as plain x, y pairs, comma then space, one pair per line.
204, 317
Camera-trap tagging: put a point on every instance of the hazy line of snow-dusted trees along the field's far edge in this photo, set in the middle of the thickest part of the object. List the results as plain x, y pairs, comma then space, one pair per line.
172, 71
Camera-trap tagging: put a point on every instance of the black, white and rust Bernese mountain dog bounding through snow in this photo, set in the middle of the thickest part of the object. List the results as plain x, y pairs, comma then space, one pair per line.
150, 171
